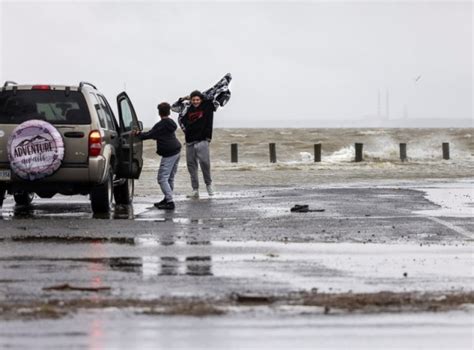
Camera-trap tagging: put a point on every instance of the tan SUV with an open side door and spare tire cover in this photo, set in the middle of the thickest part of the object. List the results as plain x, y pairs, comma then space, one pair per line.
66, 139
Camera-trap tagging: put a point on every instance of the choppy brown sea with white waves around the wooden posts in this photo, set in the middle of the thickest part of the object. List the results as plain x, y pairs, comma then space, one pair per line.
295, 156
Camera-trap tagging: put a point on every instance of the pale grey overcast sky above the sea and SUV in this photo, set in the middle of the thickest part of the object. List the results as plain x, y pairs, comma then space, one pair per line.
306, 61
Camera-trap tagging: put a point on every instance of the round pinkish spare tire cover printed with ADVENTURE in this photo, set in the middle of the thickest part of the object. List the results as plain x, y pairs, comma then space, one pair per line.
35, 150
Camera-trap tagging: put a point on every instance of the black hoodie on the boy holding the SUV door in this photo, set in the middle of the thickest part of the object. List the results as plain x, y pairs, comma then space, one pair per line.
163, 132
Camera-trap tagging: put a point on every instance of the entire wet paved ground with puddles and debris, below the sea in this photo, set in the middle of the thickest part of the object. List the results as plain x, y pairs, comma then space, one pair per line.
388, 261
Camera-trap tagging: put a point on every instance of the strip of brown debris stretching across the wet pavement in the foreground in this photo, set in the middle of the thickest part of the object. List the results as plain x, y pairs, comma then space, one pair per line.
323, 303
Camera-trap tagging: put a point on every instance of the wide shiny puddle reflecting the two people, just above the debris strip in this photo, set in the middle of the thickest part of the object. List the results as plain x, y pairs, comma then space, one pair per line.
135, 267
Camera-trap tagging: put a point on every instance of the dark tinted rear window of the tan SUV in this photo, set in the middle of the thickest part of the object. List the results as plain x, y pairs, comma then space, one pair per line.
52, 106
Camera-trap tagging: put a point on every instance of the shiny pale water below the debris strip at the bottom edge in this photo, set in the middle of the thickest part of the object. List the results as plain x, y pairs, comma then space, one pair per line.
129, 330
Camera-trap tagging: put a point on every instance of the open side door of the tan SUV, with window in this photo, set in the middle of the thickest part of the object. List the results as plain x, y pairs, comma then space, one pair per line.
131, 147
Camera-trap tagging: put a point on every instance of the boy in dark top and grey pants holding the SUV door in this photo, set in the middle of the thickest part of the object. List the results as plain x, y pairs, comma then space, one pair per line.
169, 148
